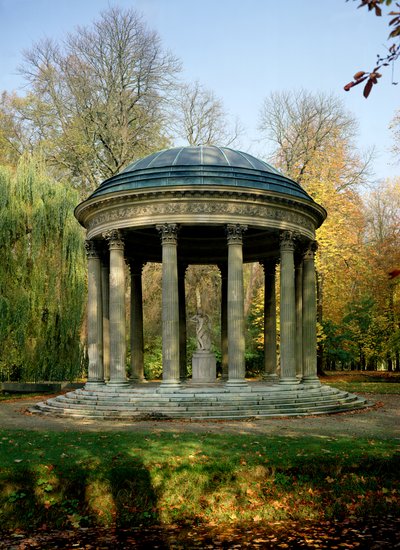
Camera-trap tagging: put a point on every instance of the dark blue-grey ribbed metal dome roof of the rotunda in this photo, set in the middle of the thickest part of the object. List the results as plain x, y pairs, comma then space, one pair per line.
201, 165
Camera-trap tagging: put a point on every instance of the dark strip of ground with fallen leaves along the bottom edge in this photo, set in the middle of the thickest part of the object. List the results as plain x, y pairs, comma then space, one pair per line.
378, 533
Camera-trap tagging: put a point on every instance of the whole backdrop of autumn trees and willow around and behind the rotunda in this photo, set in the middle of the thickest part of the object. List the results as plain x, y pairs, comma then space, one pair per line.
110, 94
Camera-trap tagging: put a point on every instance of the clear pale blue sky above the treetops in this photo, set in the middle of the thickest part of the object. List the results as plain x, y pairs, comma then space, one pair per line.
242, 50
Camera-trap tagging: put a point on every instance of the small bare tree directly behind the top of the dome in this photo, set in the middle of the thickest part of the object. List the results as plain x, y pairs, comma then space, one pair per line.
200, 118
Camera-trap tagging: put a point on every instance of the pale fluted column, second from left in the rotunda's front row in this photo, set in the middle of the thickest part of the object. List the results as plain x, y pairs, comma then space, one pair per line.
117, 308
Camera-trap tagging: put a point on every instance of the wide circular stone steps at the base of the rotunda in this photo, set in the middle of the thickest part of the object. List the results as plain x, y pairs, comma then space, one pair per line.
200, 404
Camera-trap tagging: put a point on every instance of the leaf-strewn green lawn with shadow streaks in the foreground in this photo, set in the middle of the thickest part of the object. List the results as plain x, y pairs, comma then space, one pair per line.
130, 479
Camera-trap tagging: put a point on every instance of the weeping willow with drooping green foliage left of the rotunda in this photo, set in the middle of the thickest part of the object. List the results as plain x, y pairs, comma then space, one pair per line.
42, 276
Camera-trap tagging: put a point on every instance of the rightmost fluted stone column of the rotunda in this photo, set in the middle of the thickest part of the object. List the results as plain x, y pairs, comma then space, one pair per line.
309, 316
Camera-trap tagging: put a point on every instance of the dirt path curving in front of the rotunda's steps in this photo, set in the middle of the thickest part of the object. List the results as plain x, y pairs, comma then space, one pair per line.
380, 421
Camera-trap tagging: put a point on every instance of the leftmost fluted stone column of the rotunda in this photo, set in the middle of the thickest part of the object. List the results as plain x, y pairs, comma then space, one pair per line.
94, 316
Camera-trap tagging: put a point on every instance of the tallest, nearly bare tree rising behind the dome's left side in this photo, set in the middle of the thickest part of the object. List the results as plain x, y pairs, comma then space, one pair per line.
100, 95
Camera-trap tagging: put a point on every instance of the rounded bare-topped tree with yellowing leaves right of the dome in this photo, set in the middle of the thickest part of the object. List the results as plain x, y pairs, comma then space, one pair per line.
302, 125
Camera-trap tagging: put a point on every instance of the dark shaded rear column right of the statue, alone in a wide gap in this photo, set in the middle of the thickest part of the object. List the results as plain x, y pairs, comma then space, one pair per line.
269, 321
